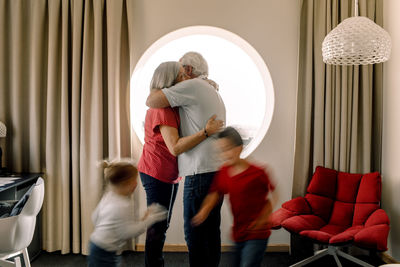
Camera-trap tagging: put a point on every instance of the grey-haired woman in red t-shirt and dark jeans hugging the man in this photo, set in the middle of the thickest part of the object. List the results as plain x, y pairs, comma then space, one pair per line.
158, 165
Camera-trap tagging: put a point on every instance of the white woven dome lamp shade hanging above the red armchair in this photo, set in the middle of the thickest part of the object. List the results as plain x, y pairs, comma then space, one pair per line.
356, 41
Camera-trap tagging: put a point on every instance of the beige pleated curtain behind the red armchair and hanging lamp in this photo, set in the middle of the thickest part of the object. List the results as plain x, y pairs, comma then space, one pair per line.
339, 109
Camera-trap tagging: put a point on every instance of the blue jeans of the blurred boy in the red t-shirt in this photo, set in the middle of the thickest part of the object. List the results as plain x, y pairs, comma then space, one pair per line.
250, 253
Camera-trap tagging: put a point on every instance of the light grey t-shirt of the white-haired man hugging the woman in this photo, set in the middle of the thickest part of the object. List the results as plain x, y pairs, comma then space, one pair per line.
197, 101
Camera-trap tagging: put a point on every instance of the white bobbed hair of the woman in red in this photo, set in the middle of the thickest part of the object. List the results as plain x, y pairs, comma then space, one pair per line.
165, 75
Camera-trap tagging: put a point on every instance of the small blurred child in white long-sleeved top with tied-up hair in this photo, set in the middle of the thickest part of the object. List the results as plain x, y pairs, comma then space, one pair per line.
113, 217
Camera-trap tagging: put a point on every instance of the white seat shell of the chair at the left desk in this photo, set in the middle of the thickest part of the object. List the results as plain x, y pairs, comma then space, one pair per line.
17, 231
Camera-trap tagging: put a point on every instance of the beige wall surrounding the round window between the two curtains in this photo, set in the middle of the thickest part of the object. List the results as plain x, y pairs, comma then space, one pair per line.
271, 27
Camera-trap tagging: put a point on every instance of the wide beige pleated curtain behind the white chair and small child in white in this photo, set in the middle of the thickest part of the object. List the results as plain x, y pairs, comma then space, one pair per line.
64, 82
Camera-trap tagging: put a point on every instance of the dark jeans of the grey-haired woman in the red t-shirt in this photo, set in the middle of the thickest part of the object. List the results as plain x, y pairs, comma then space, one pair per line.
164, 194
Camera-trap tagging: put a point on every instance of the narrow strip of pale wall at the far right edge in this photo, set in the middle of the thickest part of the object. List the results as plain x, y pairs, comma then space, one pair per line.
391, 128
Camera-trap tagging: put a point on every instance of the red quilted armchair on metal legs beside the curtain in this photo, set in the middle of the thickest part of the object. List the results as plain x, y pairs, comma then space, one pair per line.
338, 209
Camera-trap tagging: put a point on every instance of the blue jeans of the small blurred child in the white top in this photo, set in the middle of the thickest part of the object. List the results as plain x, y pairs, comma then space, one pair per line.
99, 257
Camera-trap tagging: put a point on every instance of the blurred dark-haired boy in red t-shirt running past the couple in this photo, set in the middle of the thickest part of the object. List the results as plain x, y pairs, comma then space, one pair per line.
248, 187
